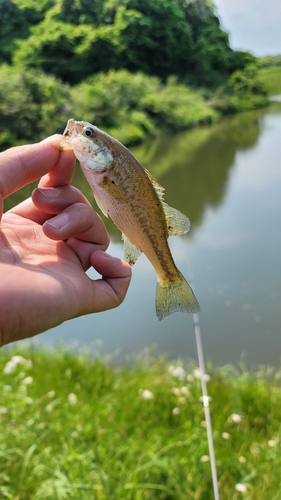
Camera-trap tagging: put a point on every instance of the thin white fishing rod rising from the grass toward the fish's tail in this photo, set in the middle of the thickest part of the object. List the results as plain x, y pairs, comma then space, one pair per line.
205, 397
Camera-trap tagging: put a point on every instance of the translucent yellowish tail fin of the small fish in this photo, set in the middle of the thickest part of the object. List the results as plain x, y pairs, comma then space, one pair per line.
173, 296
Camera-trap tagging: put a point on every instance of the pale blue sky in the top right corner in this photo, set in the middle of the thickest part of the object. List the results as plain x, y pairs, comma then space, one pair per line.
253, 25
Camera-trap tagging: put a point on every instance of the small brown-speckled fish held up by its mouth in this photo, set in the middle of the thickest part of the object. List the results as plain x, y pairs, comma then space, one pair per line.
125, 191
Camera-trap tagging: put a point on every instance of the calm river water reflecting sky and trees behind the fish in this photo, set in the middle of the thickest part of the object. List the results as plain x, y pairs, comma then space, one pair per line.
227, 179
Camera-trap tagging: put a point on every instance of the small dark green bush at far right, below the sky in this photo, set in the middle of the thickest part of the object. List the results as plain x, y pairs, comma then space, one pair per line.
244, 90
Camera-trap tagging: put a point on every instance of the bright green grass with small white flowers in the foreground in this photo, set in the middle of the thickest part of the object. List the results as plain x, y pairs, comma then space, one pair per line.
73, 427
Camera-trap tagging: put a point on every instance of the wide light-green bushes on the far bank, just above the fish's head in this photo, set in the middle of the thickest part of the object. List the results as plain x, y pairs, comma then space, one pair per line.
133, 106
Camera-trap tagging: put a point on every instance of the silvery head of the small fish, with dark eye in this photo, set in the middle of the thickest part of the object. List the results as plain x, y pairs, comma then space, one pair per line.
91, 146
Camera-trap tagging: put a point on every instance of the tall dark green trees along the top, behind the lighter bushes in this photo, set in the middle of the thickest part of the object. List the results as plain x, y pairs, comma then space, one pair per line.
73, 40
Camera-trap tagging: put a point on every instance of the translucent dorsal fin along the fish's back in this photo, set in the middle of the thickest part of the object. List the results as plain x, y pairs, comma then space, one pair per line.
177, 222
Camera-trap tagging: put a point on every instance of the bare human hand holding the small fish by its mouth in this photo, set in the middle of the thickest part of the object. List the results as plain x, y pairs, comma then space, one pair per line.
47, 242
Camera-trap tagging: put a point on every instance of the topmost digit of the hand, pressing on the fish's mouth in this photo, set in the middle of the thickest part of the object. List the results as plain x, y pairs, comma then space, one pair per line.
22, 165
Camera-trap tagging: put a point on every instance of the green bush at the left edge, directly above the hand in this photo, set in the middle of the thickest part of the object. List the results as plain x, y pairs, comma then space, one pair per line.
32, 105
